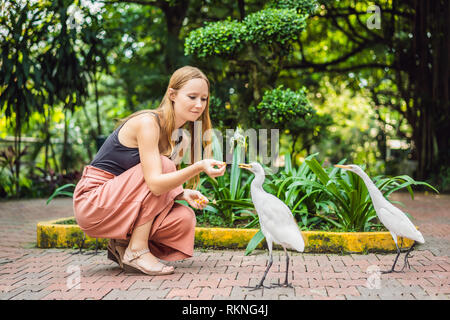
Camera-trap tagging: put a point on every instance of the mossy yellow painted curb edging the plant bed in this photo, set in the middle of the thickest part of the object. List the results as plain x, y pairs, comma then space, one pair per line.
50, 234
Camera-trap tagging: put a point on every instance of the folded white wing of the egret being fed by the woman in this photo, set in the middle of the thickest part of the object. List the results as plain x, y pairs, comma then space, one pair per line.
276, 218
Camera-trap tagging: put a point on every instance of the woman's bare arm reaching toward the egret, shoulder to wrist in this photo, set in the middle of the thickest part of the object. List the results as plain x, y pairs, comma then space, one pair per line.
147, 136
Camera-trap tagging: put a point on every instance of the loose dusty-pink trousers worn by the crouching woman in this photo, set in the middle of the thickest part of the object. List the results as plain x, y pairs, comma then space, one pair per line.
109, 206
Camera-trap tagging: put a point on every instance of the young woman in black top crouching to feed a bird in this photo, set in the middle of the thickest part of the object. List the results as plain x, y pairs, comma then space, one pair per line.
127, 192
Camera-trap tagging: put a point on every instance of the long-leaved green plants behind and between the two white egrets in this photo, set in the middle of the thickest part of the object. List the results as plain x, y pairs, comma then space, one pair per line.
327, 199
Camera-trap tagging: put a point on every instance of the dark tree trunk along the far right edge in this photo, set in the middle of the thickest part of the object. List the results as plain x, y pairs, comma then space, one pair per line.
430, 86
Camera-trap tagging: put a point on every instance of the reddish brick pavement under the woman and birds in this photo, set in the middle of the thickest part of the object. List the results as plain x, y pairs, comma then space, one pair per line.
30, 273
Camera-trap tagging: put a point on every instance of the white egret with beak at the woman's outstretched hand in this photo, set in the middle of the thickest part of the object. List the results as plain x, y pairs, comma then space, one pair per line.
275, 218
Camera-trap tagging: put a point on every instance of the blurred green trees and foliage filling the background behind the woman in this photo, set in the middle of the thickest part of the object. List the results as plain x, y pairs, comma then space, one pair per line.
365, 81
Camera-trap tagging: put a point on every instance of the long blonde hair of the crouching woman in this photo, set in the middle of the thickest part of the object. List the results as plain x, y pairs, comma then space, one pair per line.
166, 115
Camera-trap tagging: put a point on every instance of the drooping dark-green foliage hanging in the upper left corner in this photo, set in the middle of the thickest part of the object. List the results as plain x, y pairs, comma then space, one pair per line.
37, 78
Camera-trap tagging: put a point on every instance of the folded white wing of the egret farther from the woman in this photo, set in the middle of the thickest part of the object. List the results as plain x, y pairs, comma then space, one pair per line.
397, 222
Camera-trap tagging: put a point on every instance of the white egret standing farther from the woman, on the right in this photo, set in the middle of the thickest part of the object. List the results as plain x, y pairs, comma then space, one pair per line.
390, 216
